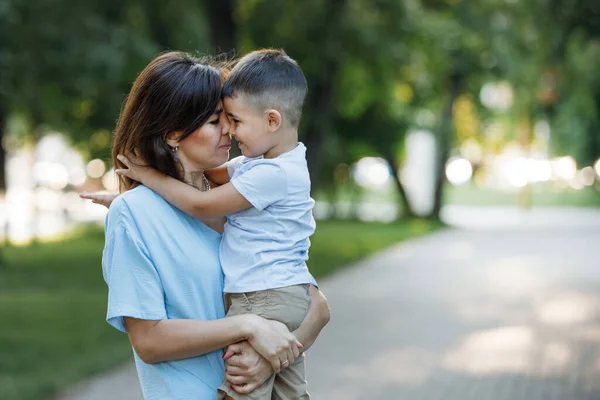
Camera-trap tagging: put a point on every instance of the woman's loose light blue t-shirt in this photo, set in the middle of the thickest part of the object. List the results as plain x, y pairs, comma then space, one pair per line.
160, 263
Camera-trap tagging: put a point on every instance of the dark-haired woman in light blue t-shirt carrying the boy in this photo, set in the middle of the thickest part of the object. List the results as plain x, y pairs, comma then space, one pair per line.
162, 266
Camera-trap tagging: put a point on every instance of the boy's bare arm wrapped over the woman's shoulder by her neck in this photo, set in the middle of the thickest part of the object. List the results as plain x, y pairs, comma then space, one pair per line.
216, 202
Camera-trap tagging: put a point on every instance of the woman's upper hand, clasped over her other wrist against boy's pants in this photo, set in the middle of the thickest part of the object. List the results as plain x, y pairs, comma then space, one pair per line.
273, 341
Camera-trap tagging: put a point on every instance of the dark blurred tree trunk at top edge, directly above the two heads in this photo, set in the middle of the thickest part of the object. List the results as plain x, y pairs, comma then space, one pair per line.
222, 25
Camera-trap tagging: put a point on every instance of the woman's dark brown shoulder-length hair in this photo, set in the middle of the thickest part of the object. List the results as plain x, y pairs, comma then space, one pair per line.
174, 93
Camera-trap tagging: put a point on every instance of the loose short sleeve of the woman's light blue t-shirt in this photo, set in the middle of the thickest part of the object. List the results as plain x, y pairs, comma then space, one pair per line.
134, 286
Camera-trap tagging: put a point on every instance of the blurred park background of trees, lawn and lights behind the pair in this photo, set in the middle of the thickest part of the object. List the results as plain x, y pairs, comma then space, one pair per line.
420, 114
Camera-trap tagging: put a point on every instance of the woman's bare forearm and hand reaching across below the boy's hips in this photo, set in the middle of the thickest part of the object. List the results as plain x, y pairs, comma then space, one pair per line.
175, 339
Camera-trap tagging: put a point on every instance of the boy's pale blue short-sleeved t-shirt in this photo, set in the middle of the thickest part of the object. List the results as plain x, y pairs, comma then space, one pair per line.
266, 246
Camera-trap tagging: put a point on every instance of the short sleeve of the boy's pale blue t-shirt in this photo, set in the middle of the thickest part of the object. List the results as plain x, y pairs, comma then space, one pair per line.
262, 184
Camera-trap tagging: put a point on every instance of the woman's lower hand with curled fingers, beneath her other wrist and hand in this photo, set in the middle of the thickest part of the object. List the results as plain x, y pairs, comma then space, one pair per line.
245, 369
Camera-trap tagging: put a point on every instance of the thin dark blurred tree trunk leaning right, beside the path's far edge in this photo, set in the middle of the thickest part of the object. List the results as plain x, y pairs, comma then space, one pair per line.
444, 142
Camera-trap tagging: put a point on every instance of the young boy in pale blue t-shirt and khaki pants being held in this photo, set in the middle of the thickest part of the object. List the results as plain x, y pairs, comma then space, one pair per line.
266, 198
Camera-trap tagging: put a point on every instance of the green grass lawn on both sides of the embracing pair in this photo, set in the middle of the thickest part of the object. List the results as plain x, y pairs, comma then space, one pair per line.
53, 303
